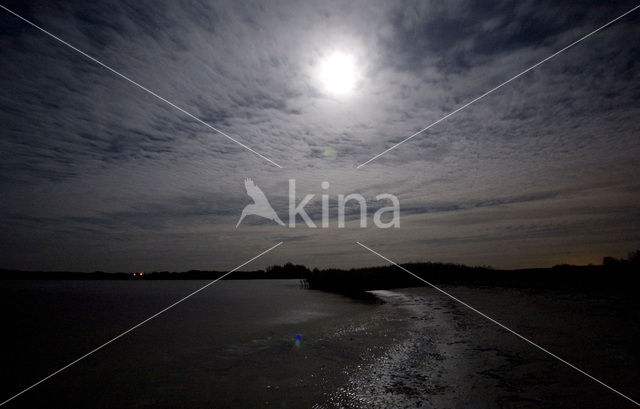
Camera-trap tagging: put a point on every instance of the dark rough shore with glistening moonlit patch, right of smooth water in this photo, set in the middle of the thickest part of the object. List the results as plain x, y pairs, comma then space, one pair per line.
450, 357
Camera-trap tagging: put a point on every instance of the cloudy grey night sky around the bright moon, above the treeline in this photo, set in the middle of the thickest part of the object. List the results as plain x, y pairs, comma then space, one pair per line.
97, 174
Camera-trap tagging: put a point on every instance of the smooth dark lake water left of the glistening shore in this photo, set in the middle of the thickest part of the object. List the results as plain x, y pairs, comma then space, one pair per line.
232, 345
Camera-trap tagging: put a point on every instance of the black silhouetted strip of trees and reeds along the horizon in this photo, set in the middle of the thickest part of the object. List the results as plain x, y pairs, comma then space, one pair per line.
614, 274
